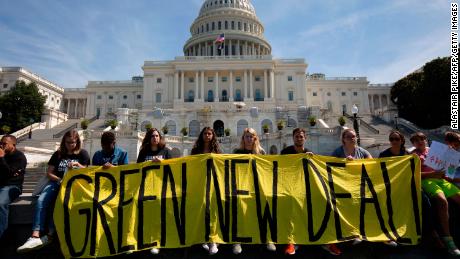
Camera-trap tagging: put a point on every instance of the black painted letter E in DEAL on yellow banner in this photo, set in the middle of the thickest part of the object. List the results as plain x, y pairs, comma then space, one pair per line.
334, 197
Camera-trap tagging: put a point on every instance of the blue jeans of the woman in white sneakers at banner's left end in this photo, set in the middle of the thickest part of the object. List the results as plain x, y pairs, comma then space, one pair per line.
44, 208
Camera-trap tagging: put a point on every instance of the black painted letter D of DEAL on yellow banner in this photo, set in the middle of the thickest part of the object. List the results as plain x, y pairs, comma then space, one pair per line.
312, 236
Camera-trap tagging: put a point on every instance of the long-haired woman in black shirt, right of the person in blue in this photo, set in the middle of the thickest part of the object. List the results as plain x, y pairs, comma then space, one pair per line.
153, 147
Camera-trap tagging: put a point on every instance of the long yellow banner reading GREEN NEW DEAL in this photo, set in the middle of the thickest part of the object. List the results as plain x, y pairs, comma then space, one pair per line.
301, 199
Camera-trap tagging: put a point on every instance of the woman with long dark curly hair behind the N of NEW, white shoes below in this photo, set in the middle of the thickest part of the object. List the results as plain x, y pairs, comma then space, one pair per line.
207, 143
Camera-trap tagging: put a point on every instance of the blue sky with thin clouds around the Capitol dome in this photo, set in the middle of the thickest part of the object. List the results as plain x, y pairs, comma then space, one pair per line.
73, 42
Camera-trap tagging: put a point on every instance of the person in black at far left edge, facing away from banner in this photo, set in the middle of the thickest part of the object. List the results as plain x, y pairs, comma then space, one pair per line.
12, 168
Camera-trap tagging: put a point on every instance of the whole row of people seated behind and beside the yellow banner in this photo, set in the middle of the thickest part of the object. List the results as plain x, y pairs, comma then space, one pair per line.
436, 187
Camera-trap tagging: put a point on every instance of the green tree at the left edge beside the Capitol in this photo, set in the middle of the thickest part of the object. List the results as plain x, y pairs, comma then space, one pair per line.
21, 105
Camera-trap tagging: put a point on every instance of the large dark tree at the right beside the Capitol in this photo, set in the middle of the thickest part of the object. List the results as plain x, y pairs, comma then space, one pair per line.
423, 97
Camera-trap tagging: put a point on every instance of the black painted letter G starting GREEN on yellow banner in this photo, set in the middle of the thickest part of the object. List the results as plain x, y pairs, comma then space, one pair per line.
67, 222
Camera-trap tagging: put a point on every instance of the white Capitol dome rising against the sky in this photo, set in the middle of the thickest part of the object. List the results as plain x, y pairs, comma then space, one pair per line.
237, 21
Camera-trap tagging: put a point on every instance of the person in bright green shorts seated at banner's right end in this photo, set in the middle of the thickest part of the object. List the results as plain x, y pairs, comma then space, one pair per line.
434, 183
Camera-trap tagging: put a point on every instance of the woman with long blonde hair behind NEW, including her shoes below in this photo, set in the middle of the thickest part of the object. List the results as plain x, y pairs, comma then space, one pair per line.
250, 144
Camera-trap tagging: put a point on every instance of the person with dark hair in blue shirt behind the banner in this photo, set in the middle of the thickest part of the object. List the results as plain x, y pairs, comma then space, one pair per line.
110, 155
